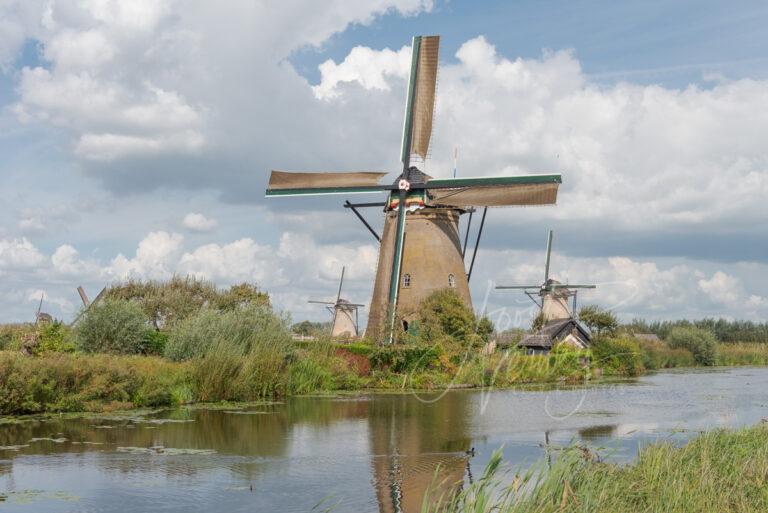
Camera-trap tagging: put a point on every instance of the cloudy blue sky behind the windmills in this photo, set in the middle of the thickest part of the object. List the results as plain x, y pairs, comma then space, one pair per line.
136, 140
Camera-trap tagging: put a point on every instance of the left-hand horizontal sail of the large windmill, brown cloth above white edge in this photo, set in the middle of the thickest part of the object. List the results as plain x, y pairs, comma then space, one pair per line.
286, 183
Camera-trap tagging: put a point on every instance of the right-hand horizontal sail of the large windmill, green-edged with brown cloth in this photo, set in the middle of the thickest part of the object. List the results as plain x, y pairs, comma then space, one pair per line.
501, 191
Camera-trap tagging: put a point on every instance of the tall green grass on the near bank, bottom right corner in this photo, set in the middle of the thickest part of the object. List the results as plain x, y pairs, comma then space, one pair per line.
722, 470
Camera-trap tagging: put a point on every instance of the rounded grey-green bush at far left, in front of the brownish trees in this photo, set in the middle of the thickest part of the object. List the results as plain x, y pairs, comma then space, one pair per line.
113, 326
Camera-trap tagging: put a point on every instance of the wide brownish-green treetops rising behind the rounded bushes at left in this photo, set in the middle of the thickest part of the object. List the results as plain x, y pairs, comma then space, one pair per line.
168, 302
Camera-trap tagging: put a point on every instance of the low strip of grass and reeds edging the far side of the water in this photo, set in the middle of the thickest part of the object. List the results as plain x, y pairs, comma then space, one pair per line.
73, 382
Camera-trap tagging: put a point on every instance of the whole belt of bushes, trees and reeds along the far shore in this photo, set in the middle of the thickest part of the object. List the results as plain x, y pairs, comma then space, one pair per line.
148, 344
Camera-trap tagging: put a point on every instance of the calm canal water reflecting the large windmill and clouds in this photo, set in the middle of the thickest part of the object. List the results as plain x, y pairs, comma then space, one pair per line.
369, 453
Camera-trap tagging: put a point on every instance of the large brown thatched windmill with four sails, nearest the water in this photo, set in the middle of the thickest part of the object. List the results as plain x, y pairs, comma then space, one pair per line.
420, 249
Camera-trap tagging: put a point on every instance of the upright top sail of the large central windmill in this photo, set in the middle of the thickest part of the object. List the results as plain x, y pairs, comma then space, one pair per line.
420, 103
